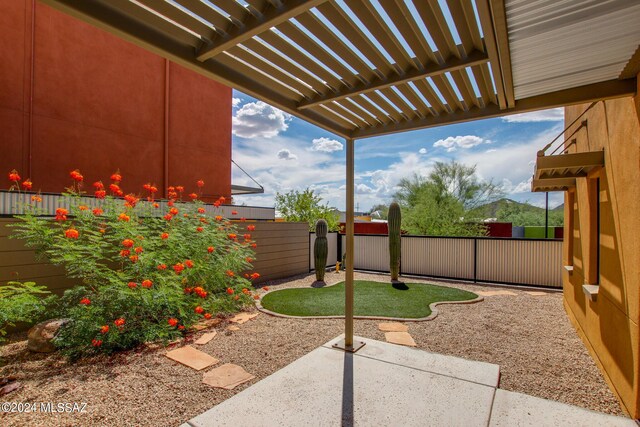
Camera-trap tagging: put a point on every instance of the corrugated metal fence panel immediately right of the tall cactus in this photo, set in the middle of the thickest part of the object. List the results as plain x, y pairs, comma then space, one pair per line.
434, 256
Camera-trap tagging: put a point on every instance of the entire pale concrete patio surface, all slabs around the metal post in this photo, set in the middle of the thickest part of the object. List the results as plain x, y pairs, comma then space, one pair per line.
390, 385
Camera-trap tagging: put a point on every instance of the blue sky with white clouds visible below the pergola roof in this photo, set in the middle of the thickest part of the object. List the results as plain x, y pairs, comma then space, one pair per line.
284, 153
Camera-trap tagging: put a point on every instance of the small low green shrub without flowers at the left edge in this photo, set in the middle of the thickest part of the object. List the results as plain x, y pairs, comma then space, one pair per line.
21, 302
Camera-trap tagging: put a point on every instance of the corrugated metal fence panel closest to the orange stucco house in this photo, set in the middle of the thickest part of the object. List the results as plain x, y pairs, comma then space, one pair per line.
532, 262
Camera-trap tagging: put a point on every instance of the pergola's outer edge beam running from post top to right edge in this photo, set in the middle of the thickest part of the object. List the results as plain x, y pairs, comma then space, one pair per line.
576, 95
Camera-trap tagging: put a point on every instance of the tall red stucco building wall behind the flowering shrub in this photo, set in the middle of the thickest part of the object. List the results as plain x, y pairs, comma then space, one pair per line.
73, 96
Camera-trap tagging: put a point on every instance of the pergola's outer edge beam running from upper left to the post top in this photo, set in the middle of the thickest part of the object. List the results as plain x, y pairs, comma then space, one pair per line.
102, 14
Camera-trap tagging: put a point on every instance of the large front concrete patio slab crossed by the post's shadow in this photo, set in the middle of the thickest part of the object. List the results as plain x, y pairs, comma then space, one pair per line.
329, 387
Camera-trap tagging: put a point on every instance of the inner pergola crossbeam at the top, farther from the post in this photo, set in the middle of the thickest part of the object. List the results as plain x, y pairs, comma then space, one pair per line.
254, 25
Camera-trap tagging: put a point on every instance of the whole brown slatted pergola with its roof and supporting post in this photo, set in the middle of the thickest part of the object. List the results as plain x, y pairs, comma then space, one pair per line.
363, 68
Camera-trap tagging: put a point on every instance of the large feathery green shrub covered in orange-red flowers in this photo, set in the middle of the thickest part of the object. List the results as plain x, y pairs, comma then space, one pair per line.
147, 273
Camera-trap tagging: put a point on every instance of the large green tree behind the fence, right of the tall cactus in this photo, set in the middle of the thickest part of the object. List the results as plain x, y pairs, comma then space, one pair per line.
439, 204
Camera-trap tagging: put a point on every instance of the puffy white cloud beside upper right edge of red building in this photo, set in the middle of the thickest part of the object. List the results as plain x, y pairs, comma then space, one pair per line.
259, 120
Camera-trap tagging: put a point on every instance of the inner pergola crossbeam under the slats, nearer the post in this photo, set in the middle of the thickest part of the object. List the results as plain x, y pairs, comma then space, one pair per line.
433, 69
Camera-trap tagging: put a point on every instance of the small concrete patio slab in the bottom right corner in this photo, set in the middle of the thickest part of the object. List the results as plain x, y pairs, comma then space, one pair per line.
516, 409
